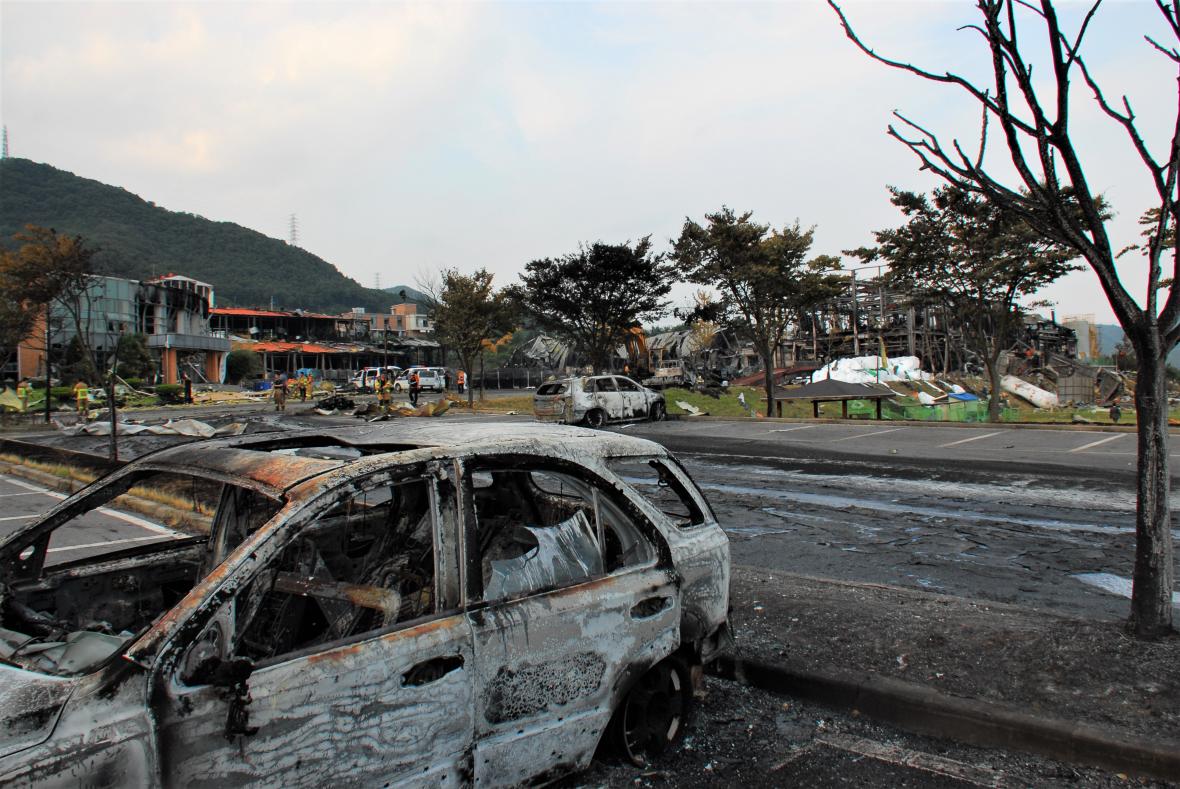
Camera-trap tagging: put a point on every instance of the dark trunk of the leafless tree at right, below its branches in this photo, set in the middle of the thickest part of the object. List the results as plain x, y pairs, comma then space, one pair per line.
1151, 604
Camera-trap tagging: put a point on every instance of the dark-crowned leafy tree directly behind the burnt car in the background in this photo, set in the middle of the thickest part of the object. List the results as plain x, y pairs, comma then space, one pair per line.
594, 298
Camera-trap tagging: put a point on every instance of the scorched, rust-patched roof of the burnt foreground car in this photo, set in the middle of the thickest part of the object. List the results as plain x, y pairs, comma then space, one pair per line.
267, 459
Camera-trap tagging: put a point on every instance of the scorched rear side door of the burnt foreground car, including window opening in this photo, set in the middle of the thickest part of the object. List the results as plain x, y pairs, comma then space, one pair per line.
571, 599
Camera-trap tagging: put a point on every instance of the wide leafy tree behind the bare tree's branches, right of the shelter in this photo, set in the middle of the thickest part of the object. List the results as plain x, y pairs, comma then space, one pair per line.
975, 259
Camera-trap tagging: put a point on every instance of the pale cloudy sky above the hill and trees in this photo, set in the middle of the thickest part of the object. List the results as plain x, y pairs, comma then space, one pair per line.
408, 137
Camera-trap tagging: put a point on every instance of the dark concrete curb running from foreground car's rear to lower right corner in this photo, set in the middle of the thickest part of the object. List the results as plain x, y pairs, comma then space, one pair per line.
923, 711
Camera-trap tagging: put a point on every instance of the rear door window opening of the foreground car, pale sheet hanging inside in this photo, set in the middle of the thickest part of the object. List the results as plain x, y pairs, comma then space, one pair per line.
541, 529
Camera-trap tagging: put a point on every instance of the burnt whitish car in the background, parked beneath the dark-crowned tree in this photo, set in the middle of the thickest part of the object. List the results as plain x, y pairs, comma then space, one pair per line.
598, 400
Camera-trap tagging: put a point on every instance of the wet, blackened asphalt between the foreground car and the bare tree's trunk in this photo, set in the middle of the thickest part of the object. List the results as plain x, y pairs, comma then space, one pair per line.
1031, 517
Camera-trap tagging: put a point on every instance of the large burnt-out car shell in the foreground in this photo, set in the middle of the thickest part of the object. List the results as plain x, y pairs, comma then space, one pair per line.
414, 604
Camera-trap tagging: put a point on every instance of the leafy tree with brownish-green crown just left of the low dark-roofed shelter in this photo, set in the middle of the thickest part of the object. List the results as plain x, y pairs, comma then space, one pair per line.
764, 277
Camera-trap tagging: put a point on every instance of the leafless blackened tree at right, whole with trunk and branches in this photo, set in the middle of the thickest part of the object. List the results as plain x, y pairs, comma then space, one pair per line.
1052, 194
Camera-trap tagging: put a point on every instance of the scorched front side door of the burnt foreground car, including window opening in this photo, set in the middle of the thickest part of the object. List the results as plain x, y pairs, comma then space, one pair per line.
342, 657
